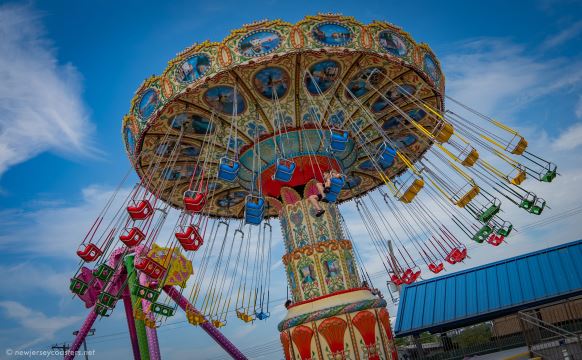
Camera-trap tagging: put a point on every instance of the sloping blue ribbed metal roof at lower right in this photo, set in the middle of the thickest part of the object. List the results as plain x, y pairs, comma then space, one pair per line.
490, 291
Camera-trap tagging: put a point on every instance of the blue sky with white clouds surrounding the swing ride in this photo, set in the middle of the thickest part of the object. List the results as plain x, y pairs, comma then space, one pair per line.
68, 71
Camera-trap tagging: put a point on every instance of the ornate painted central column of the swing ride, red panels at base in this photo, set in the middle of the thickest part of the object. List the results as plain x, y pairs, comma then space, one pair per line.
332, 315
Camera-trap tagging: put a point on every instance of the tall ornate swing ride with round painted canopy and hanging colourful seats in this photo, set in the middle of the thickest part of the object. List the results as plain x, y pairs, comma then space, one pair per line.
238, 134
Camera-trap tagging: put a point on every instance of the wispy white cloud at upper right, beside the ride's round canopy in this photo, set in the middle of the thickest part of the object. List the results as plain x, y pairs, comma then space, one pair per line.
499, 77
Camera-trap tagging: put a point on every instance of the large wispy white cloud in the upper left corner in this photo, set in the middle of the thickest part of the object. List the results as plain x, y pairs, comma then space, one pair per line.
40, 99
